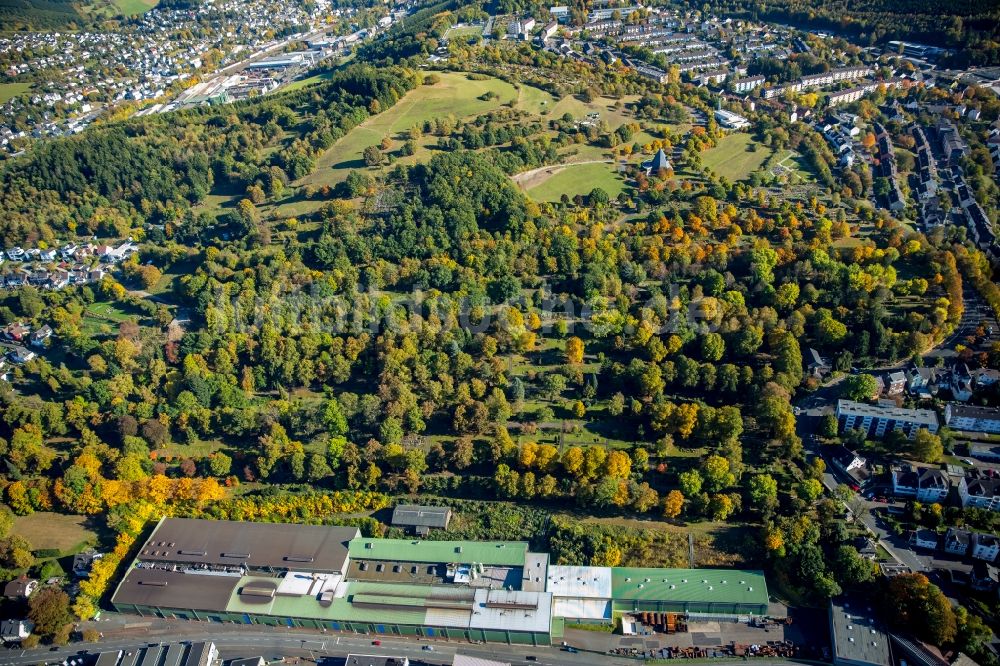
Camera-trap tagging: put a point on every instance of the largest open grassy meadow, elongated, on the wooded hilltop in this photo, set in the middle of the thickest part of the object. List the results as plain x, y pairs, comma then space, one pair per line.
454, 94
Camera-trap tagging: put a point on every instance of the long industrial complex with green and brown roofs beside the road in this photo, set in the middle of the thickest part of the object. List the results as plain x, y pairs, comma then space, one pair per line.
332, 578
